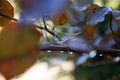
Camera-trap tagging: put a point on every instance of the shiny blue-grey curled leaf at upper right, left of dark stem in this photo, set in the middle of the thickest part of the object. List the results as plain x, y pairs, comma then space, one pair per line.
98, 15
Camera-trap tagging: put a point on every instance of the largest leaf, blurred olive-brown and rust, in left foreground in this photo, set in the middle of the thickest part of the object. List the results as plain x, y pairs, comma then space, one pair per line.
18, 48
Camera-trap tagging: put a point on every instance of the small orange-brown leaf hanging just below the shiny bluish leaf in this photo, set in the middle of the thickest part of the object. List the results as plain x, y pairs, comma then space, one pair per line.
89, 31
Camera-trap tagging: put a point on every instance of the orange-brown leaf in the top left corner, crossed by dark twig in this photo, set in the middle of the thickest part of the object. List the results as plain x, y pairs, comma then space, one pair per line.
7, 9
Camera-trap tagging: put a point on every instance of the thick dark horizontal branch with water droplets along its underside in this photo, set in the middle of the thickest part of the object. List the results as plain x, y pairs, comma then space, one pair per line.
113, 52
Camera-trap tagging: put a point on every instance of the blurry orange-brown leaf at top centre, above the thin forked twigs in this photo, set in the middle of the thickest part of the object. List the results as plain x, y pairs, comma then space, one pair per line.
59, 18
